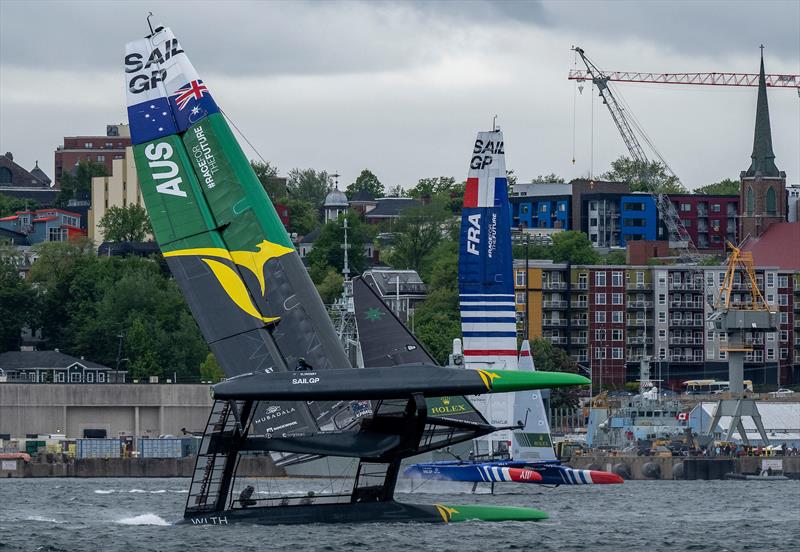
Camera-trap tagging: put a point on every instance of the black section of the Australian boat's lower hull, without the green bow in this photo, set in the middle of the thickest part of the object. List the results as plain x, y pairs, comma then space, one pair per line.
366, 512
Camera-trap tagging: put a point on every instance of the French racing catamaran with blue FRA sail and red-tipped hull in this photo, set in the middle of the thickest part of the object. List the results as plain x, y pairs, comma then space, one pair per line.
488, 321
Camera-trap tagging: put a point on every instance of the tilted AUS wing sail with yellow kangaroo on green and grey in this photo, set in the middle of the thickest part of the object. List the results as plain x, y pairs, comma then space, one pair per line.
220, 235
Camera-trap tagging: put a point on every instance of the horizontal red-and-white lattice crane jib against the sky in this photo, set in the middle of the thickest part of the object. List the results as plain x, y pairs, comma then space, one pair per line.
706, 79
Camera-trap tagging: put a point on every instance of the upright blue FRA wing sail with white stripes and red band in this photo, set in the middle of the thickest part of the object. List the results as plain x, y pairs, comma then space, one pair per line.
486, 289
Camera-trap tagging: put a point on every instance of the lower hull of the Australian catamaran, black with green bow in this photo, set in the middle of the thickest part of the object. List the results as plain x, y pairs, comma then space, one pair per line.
366, 512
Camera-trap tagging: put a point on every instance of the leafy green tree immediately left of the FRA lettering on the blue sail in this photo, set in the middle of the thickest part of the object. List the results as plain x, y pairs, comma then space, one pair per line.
417, 232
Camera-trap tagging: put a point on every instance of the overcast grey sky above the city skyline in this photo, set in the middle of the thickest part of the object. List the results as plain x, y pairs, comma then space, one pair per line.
401, 88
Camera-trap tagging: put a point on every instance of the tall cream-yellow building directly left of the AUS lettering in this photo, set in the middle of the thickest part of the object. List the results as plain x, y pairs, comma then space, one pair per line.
118, 190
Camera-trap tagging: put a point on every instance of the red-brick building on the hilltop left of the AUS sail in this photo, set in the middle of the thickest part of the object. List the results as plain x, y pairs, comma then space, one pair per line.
99, 149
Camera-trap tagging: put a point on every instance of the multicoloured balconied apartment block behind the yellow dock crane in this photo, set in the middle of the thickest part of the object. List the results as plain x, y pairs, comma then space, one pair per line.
608, 317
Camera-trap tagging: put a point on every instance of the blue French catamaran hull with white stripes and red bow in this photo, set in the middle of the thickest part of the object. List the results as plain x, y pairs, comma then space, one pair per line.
517, 472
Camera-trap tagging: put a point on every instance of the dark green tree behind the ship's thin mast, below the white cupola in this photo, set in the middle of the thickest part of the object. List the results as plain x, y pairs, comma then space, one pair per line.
328, 252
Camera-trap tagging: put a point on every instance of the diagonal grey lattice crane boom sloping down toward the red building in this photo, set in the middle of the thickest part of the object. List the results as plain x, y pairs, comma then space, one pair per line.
677, 234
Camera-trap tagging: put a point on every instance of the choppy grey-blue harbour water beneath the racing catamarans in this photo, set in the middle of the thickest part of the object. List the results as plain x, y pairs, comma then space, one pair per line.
136, 514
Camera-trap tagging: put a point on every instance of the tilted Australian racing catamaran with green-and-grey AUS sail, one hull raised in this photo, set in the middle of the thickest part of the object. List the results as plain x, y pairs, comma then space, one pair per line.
291, 395
